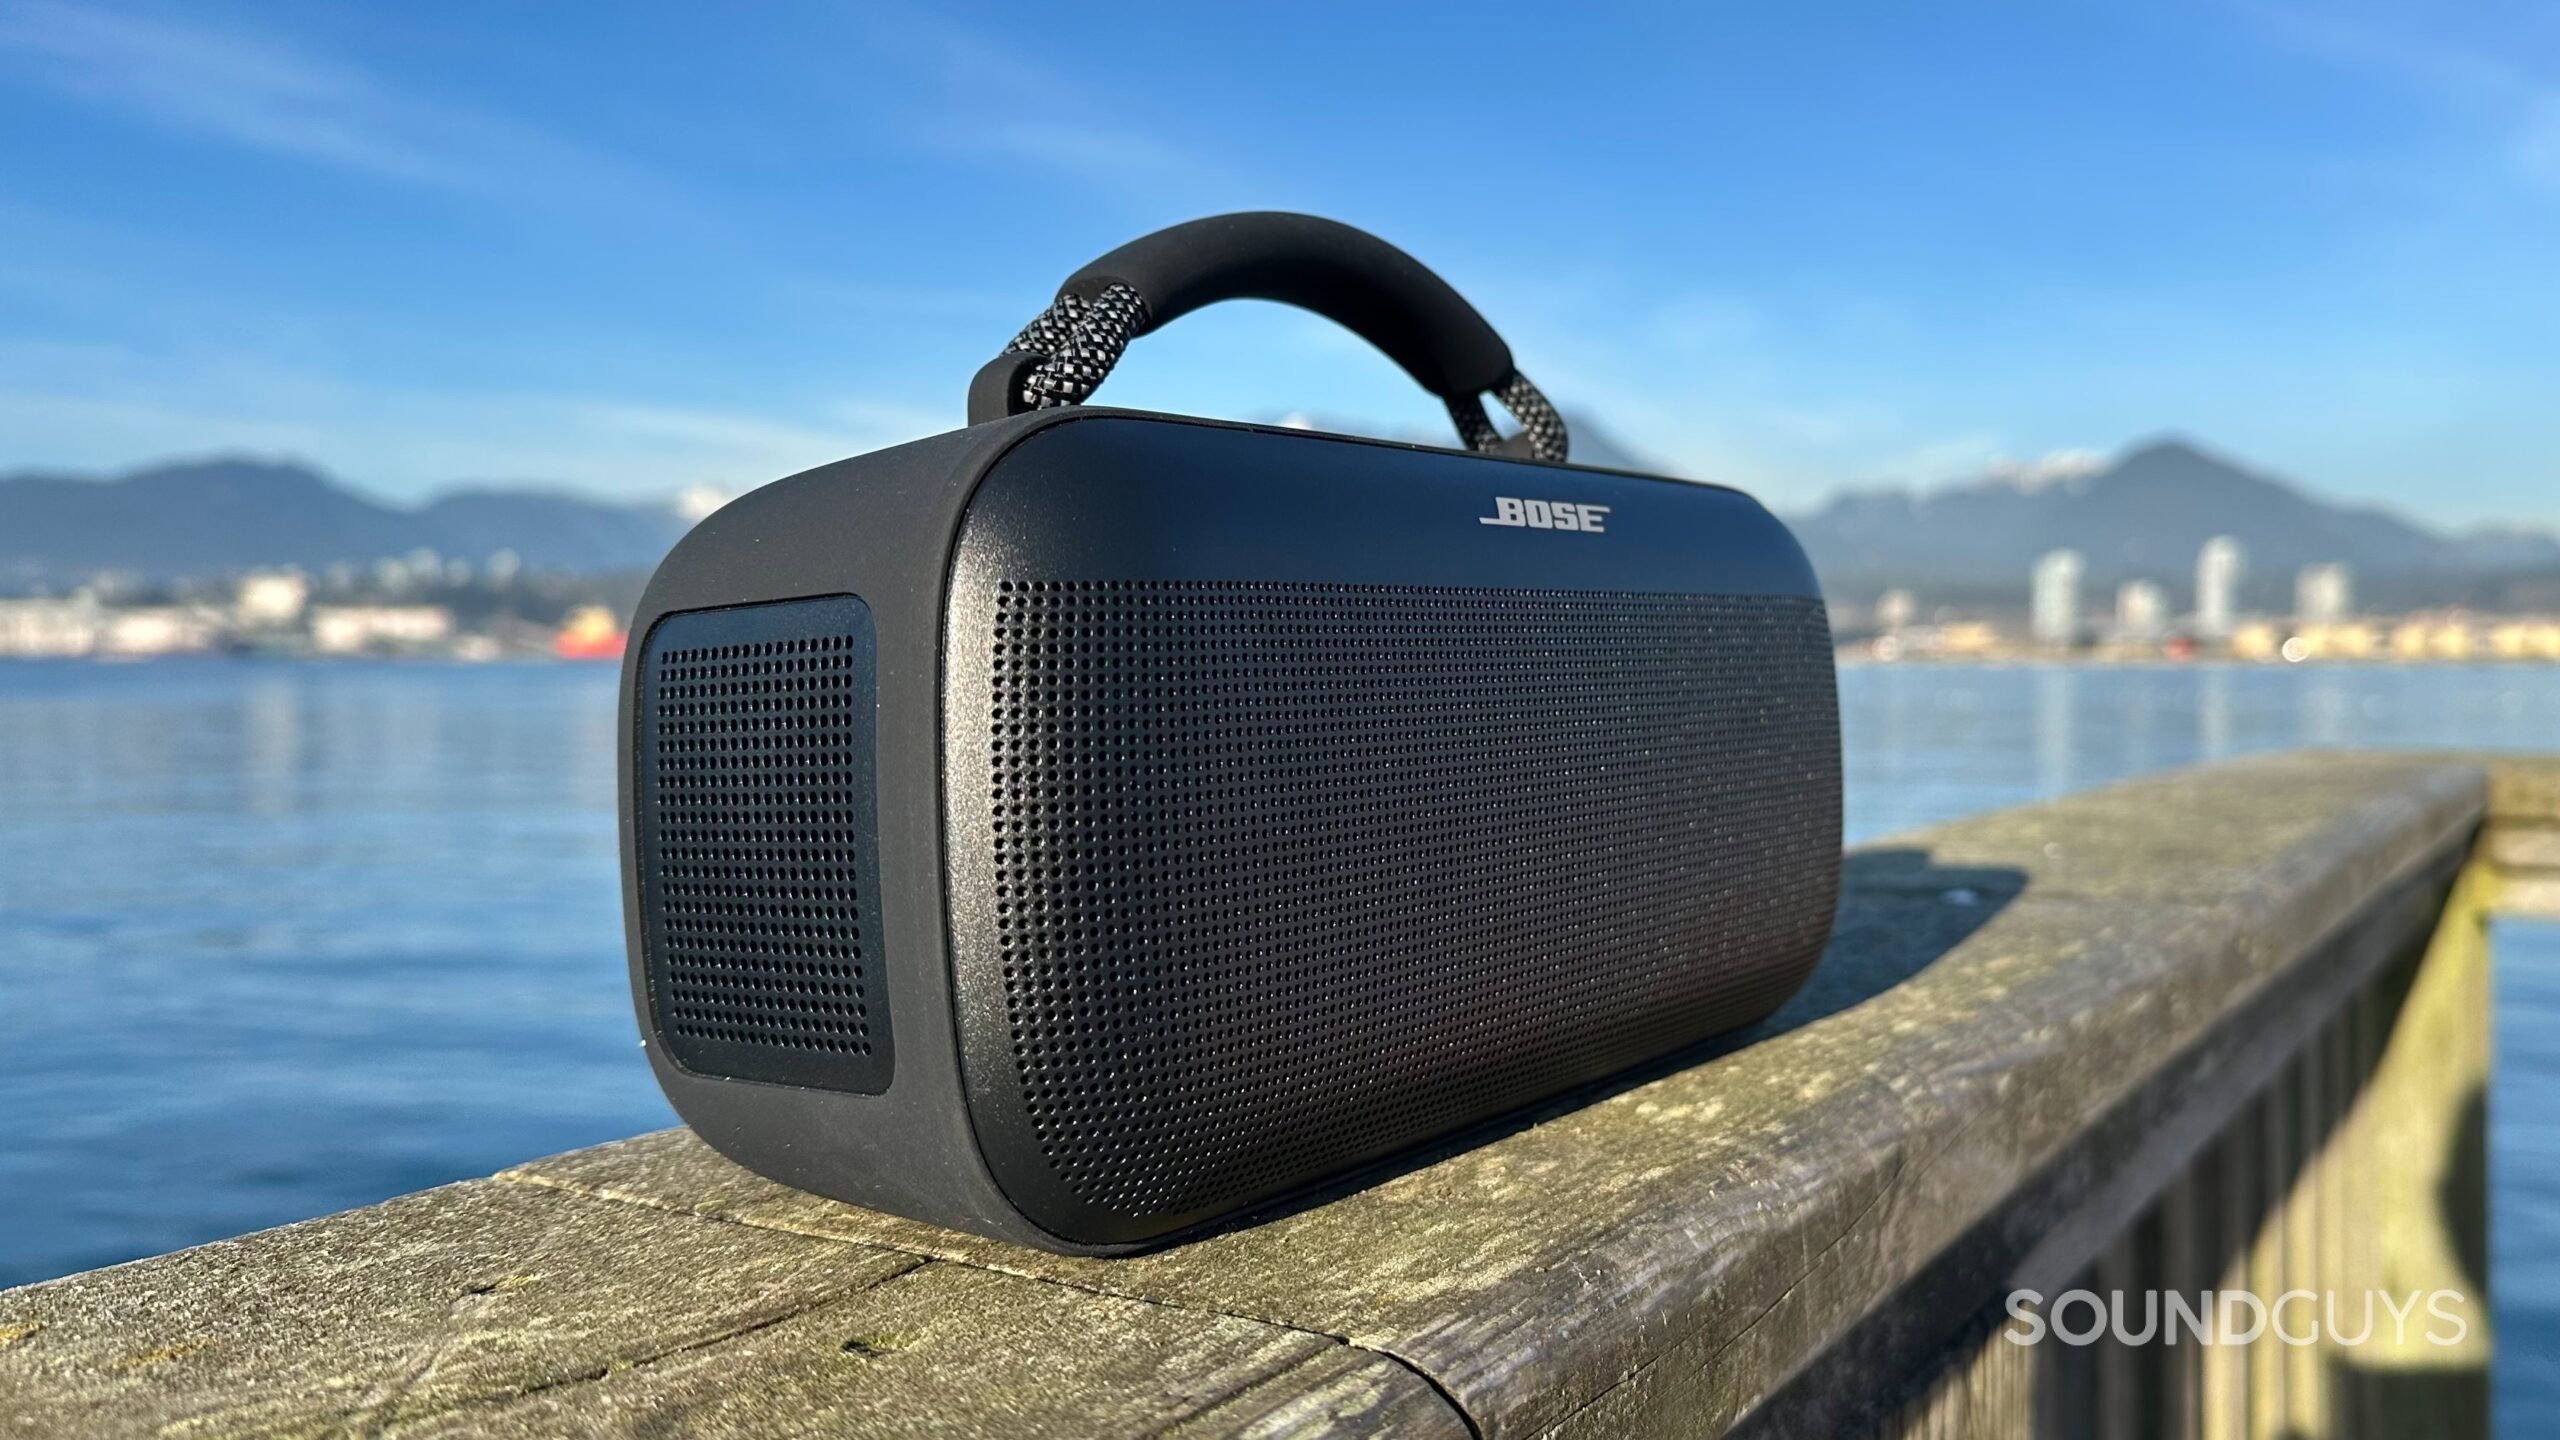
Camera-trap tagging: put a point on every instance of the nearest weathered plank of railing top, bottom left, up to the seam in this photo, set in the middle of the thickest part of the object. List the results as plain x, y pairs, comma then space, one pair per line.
526, 1311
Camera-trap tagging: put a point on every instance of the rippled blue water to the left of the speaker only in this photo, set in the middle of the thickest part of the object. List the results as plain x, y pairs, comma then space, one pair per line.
285, 939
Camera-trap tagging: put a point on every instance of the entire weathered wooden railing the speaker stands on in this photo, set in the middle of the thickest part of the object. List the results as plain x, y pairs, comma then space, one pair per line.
2211, 1031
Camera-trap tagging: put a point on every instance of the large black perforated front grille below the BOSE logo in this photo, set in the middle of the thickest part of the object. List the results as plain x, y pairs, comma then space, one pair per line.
1299, 875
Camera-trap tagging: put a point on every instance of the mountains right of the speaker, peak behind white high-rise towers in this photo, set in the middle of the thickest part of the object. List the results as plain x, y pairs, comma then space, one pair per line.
2141, 516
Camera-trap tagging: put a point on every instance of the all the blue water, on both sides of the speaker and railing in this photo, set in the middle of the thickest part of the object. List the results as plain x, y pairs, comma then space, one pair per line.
280, 939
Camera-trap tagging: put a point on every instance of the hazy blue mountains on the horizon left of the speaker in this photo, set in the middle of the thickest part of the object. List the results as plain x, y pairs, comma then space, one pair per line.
221, 516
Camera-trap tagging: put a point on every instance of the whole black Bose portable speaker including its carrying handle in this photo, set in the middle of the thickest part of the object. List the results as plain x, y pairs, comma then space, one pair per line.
1092, 824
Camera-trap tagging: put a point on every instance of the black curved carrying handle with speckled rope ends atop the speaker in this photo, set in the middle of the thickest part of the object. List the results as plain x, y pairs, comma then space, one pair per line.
1345, 275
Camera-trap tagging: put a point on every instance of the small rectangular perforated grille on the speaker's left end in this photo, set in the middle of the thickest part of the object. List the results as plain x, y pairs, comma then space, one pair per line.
756, 844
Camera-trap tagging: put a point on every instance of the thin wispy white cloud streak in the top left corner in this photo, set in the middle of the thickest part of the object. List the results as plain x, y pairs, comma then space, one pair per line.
275, 96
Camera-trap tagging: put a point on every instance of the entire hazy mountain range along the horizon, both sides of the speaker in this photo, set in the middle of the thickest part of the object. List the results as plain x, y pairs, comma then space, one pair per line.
2139, 516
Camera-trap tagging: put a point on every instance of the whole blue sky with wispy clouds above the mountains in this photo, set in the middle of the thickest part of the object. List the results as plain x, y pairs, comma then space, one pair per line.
1793, 247
